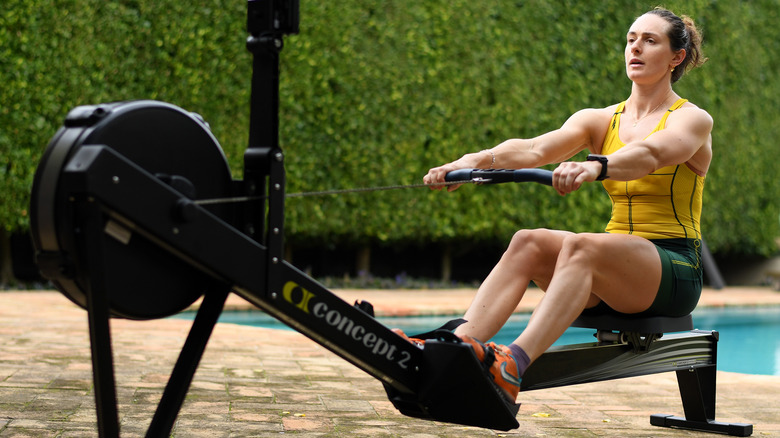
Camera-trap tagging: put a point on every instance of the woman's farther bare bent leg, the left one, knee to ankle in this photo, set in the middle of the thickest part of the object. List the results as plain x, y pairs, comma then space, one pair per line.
531, 256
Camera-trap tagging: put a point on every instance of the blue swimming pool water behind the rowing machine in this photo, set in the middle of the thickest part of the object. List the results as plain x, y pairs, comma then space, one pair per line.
749, 337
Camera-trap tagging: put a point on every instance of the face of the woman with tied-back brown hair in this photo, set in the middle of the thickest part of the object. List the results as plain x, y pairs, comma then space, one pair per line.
649, 57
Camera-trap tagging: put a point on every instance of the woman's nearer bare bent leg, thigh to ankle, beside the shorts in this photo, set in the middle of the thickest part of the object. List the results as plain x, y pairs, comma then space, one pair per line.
622, 270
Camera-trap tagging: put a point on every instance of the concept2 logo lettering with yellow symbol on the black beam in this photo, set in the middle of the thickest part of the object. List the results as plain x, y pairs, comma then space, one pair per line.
307, 302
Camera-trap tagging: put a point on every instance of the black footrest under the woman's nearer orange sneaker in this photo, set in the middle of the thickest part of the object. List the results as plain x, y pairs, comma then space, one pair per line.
455, 388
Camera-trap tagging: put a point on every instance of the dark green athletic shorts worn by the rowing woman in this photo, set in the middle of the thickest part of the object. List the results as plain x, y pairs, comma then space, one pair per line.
681, 279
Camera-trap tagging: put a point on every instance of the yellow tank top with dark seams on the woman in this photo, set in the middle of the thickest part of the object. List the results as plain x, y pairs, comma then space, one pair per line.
665, 204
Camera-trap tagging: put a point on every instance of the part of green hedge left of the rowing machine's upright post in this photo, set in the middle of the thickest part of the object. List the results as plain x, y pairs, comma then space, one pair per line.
55, 57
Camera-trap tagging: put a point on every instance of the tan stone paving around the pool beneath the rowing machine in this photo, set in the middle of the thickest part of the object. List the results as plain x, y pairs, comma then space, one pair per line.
255, 382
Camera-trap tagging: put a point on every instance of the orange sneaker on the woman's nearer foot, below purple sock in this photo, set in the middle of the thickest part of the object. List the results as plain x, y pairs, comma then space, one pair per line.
501, 364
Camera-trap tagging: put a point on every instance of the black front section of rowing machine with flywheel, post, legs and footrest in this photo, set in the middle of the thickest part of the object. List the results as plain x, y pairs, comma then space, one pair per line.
121, 228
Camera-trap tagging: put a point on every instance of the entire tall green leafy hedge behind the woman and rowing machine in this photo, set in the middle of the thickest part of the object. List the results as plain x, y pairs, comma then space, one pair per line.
374, 93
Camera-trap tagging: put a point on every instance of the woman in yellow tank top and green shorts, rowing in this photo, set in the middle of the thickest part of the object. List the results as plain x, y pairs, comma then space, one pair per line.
652, 153
